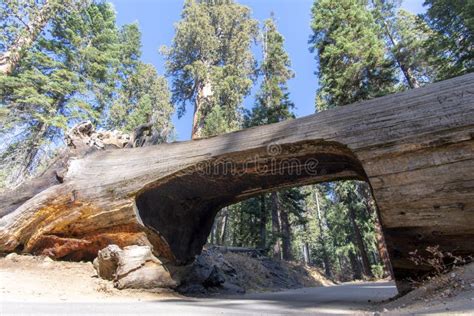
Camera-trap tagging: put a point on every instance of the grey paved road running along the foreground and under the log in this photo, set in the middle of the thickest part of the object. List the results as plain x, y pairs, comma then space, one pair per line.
340, 299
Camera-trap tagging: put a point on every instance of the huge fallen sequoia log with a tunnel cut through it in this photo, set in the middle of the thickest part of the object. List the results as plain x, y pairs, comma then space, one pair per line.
415, 149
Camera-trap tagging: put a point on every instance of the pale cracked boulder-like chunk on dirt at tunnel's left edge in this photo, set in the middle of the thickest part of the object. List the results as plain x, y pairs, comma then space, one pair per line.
133, 267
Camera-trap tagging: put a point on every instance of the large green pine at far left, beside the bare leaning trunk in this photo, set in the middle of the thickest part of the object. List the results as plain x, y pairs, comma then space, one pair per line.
63, 77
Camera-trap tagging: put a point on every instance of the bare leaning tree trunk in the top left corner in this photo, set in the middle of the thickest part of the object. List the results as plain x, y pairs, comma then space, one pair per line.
10, 59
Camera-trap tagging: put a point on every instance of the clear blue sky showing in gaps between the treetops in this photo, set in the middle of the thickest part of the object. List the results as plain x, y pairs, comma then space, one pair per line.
157, 18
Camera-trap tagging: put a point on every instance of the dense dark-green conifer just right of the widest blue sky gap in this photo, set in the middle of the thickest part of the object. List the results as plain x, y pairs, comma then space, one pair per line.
352, 61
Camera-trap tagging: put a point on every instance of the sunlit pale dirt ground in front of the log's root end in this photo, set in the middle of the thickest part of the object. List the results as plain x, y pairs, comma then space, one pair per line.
30, 278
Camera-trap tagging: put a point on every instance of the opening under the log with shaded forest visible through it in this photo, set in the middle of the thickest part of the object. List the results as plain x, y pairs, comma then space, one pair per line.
331, 226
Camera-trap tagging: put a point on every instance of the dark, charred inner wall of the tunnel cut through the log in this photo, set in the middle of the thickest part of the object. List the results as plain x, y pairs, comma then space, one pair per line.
181, 208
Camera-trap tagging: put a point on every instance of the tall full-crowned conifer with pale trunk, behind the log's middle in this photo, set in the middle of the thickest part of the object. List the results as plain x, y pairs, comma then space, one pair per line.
211, 64
